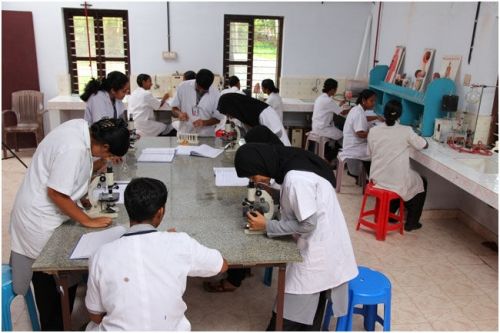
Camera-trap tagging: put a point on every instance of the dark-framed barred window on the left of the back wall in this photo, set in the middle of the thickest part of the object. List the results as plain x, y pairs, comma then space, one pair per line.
108, 45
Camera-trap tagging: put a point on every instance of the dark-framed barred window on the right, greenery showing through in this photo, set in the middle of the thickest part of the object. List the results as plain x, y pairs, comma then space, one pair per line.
252, 48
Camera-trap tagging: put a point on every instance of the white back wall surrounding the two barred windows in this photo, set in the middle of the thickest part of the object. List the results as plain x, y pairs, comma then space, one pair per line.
319, 39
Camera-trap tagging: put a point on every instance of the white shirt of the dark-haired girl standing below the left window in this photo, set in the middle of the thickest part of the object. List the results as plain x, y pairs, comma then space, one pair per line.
99, 106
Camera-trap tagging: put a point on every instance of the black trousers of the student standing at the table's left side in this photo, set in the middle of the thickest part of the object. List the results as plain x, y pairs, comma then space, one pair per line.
48, 301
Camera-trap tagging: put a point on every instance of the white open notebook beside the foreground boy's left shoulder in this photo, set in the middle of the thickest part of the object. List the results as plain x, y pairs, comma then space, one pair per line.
91, 242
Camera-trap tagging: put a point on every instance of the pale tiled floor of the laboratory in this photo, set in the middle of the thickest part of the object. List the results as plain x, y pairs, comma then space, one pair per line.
443, 279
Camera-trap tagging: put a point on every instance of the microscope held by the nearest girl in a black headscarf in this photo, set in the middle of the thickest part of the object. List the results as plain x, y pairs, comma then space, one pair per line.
257, 200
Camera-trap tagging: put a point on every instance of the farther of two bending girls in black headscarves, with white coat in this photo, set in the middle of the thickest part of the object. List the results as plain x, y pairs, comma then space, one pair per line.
252, 112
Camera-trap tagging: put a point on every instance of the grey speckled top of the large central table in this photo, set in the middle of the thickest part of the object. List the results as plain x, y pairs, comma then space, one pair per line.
212, 215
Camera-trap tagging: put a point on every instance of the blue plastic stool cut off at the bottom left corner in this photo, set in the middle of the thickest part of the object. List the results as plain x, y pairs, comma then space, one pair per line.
7, 298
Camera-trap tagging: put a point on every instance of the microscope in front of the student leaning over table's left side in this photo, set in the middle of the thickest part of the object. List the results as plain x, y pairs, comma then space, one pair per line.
104, 204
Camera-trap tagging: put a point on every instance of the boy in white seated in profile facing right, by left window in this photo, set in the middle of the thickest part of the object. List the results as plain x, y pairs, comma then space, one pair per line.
141, 105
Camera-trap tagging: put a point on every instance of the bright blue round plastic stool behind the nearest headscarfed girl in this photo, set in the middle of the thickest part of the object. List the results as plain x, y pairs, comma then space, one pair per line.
369, 289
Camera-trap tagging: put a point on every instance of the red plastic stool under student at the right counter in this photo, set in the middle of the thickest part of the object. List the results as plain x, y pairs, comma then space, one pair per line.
381, 213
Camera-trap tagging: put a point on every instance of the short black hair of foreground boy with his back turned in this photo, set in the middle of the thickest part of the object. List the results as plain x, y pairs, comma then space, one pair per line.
143, 198
